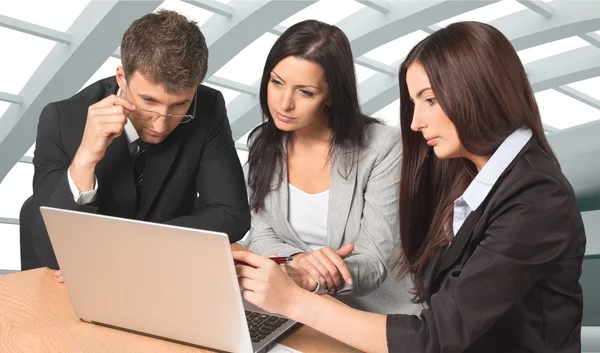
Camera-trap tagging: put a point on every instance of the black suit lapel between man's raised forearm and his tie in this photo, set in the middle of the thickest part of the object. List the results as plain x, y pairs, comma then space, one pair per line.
116, 169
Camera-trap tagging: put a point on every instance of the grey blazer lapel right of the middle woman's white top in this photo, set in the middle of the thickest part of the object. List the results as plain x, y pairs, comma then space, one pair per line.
341, 192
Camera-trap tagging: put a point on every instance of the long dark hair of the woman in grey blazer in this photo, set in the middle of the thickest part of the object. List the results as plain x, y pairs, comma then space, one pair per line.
327, 46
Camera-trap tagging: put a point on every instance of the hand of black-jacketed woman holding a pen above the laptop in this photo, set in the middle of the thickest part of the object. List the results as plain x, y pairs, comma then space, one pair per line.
265, 284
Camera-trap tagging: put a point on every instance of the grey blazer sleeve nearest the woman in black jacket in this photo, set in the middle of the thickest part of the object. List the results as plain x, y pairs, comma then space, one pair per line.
378, 239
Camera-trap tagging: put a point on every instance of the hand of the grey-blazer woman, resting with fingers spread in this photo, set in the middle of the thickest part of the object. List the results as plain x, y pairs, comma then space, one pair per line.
327, 265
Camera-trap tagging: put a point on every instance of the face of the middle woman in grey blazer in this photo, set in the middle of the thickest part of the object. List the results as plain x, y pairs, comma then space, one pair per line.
297, 94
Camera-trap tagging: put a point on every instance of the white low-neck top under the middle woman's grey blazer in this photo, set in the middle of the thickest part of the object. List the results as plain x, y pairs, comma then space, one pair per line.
308, 216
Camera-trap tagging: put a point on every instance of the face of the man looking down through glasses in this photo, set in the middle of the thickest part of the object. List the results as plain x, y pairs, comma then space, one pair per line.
153, 103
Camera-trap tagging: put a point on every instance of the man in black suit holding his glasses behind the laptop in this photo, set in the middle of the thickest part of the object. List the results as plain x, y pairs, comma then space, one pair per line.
150, 143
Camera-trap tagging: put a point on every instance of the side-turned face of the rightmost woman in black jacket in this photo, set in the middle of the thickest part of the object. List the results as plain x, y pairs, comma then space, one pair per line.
429, 118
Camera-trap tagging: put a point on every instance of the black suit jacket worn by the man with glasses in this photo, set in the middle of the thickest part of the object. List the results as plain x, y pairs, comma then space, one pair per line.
192, 179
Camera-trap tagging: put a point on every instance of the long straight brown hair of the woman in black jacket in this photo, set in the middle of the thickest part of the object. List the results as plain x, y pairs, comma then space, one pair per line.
481, 86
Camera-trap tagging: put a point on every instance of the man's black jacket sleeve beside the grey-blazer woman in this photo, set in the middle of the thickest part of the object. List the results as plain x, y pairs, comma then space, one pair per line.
222, 204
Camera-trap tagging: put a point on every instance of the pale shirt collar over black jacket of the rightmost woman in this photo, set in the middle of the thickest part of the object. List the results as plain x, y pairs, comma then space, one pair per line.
481, 186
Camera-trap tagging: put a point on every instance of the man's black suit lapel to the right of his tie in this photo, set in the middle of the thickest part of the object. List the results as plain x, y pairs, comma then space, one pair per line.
159, 160
